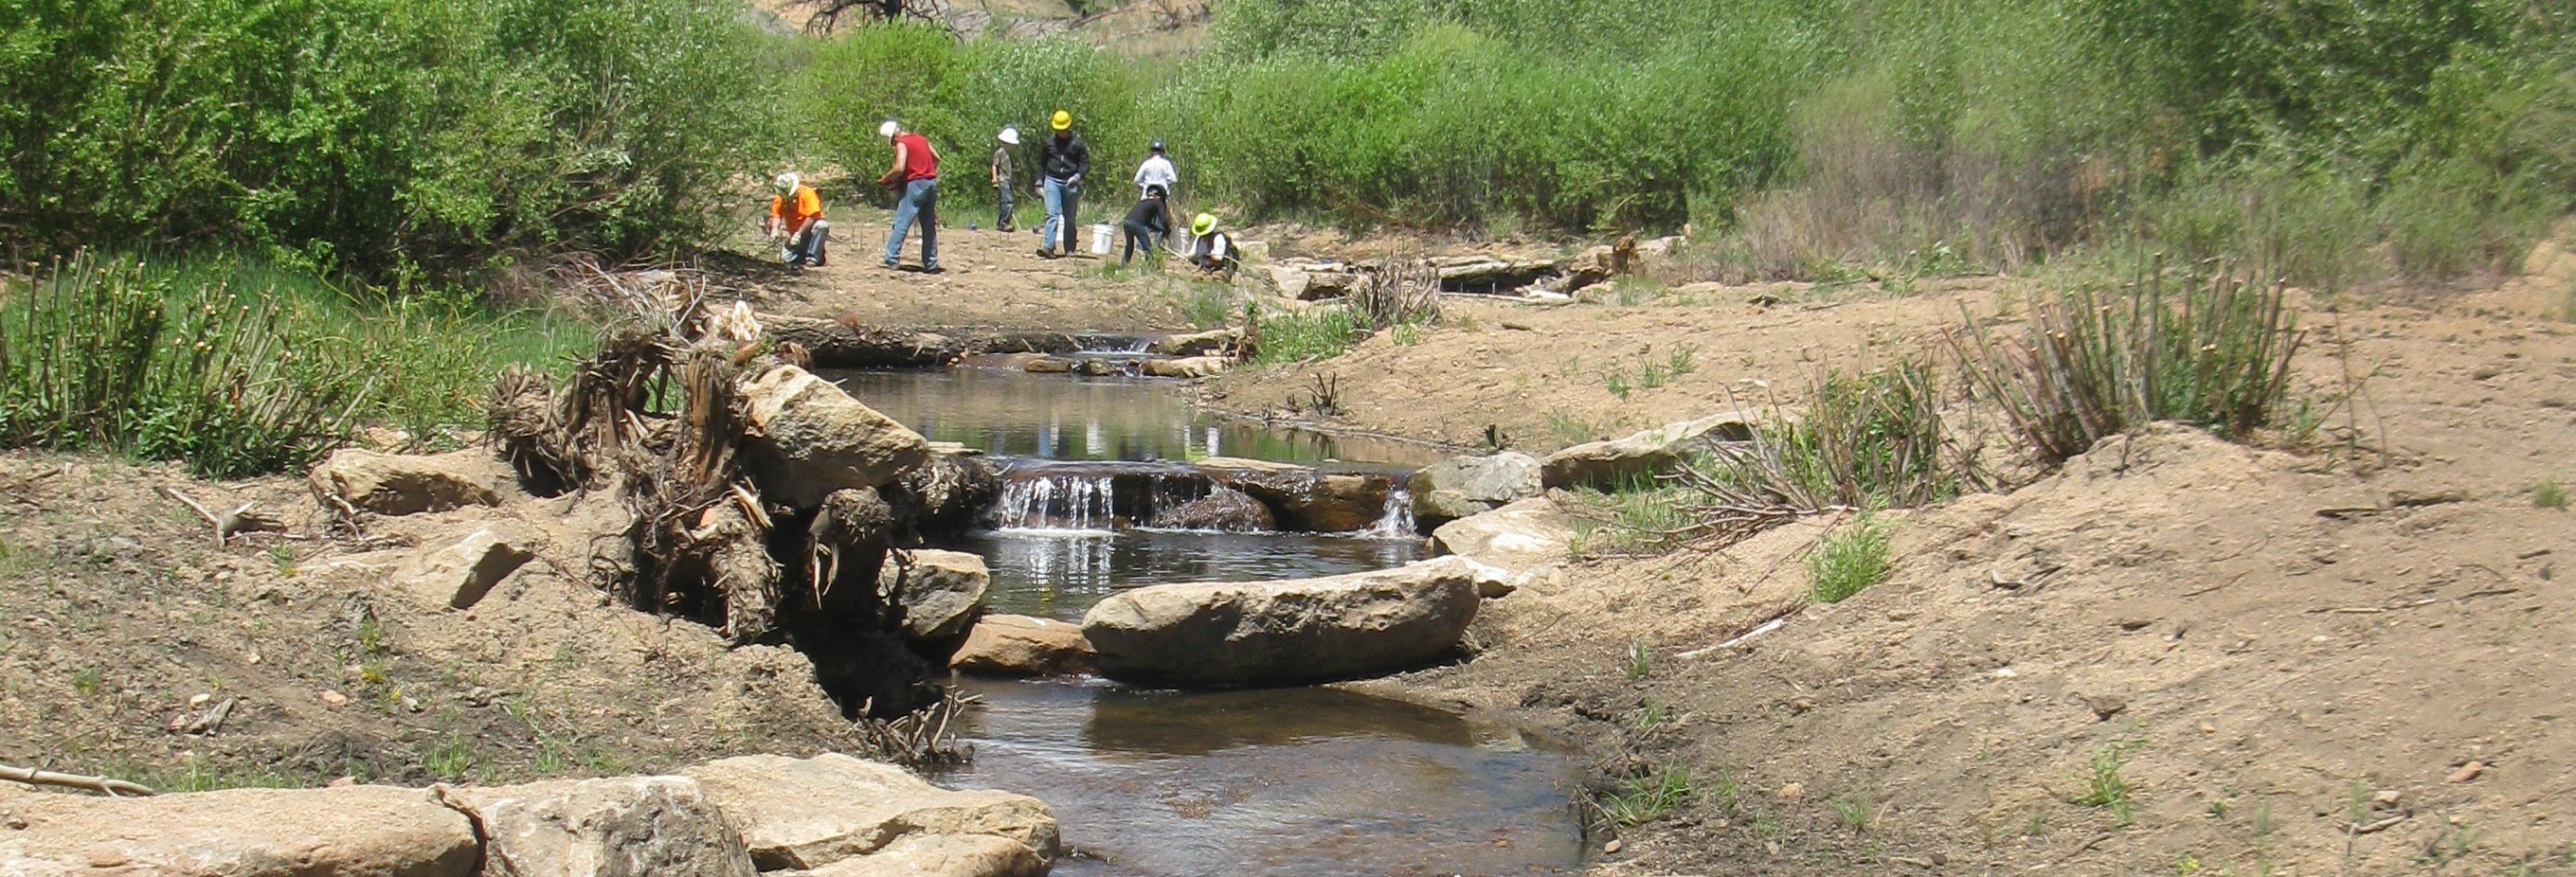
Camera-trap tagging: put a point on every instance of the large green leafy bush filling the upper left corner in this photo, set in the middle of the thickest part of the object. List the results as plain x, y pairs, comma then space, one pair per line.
377, 135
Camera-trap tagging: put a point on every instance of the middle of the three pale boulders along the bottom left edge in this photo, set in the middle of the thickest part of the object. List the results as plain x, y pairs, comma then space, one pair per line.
604, 829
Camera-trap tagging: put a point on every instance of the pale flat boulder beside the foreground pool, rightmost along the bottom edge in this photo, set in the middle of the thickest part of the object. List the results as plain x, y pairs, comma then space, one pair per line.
828, 809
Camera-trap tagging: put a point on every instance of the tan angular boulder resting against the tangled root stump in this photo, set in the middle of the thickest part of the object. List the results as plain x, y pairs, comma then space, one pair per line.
810, 438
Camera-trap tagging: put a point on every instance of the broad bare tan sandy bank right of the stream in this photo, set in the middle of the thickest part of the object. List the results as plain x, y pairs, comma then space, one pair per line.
2271, 673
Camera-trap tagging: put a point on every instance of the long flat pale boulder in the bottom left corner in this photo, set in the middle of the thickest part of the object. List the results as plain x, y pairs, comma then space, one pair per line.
344, 832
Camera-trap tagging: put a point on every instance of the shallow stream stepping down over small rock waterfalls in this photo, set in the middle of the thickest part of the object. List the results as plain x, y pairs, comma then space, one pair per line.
1209, 783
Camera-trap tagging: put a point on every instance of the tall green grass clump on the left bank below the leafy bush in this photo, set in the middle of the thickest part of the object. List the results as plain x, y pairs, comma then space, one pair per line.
241, 369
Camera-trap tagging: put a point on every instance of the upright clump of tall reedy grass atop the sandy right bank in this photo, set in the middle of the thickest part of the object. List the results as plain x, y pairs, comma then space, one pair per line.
2196, 346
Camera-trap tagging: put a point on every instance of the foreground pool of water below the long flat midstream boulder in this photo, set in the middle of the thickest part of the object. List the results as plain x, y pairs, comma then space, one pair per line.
1274, 783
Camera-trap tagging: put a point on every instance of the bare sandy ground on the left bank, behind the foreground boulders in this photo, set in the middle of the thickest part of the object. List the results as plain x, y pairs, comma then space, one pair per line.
117, 613
